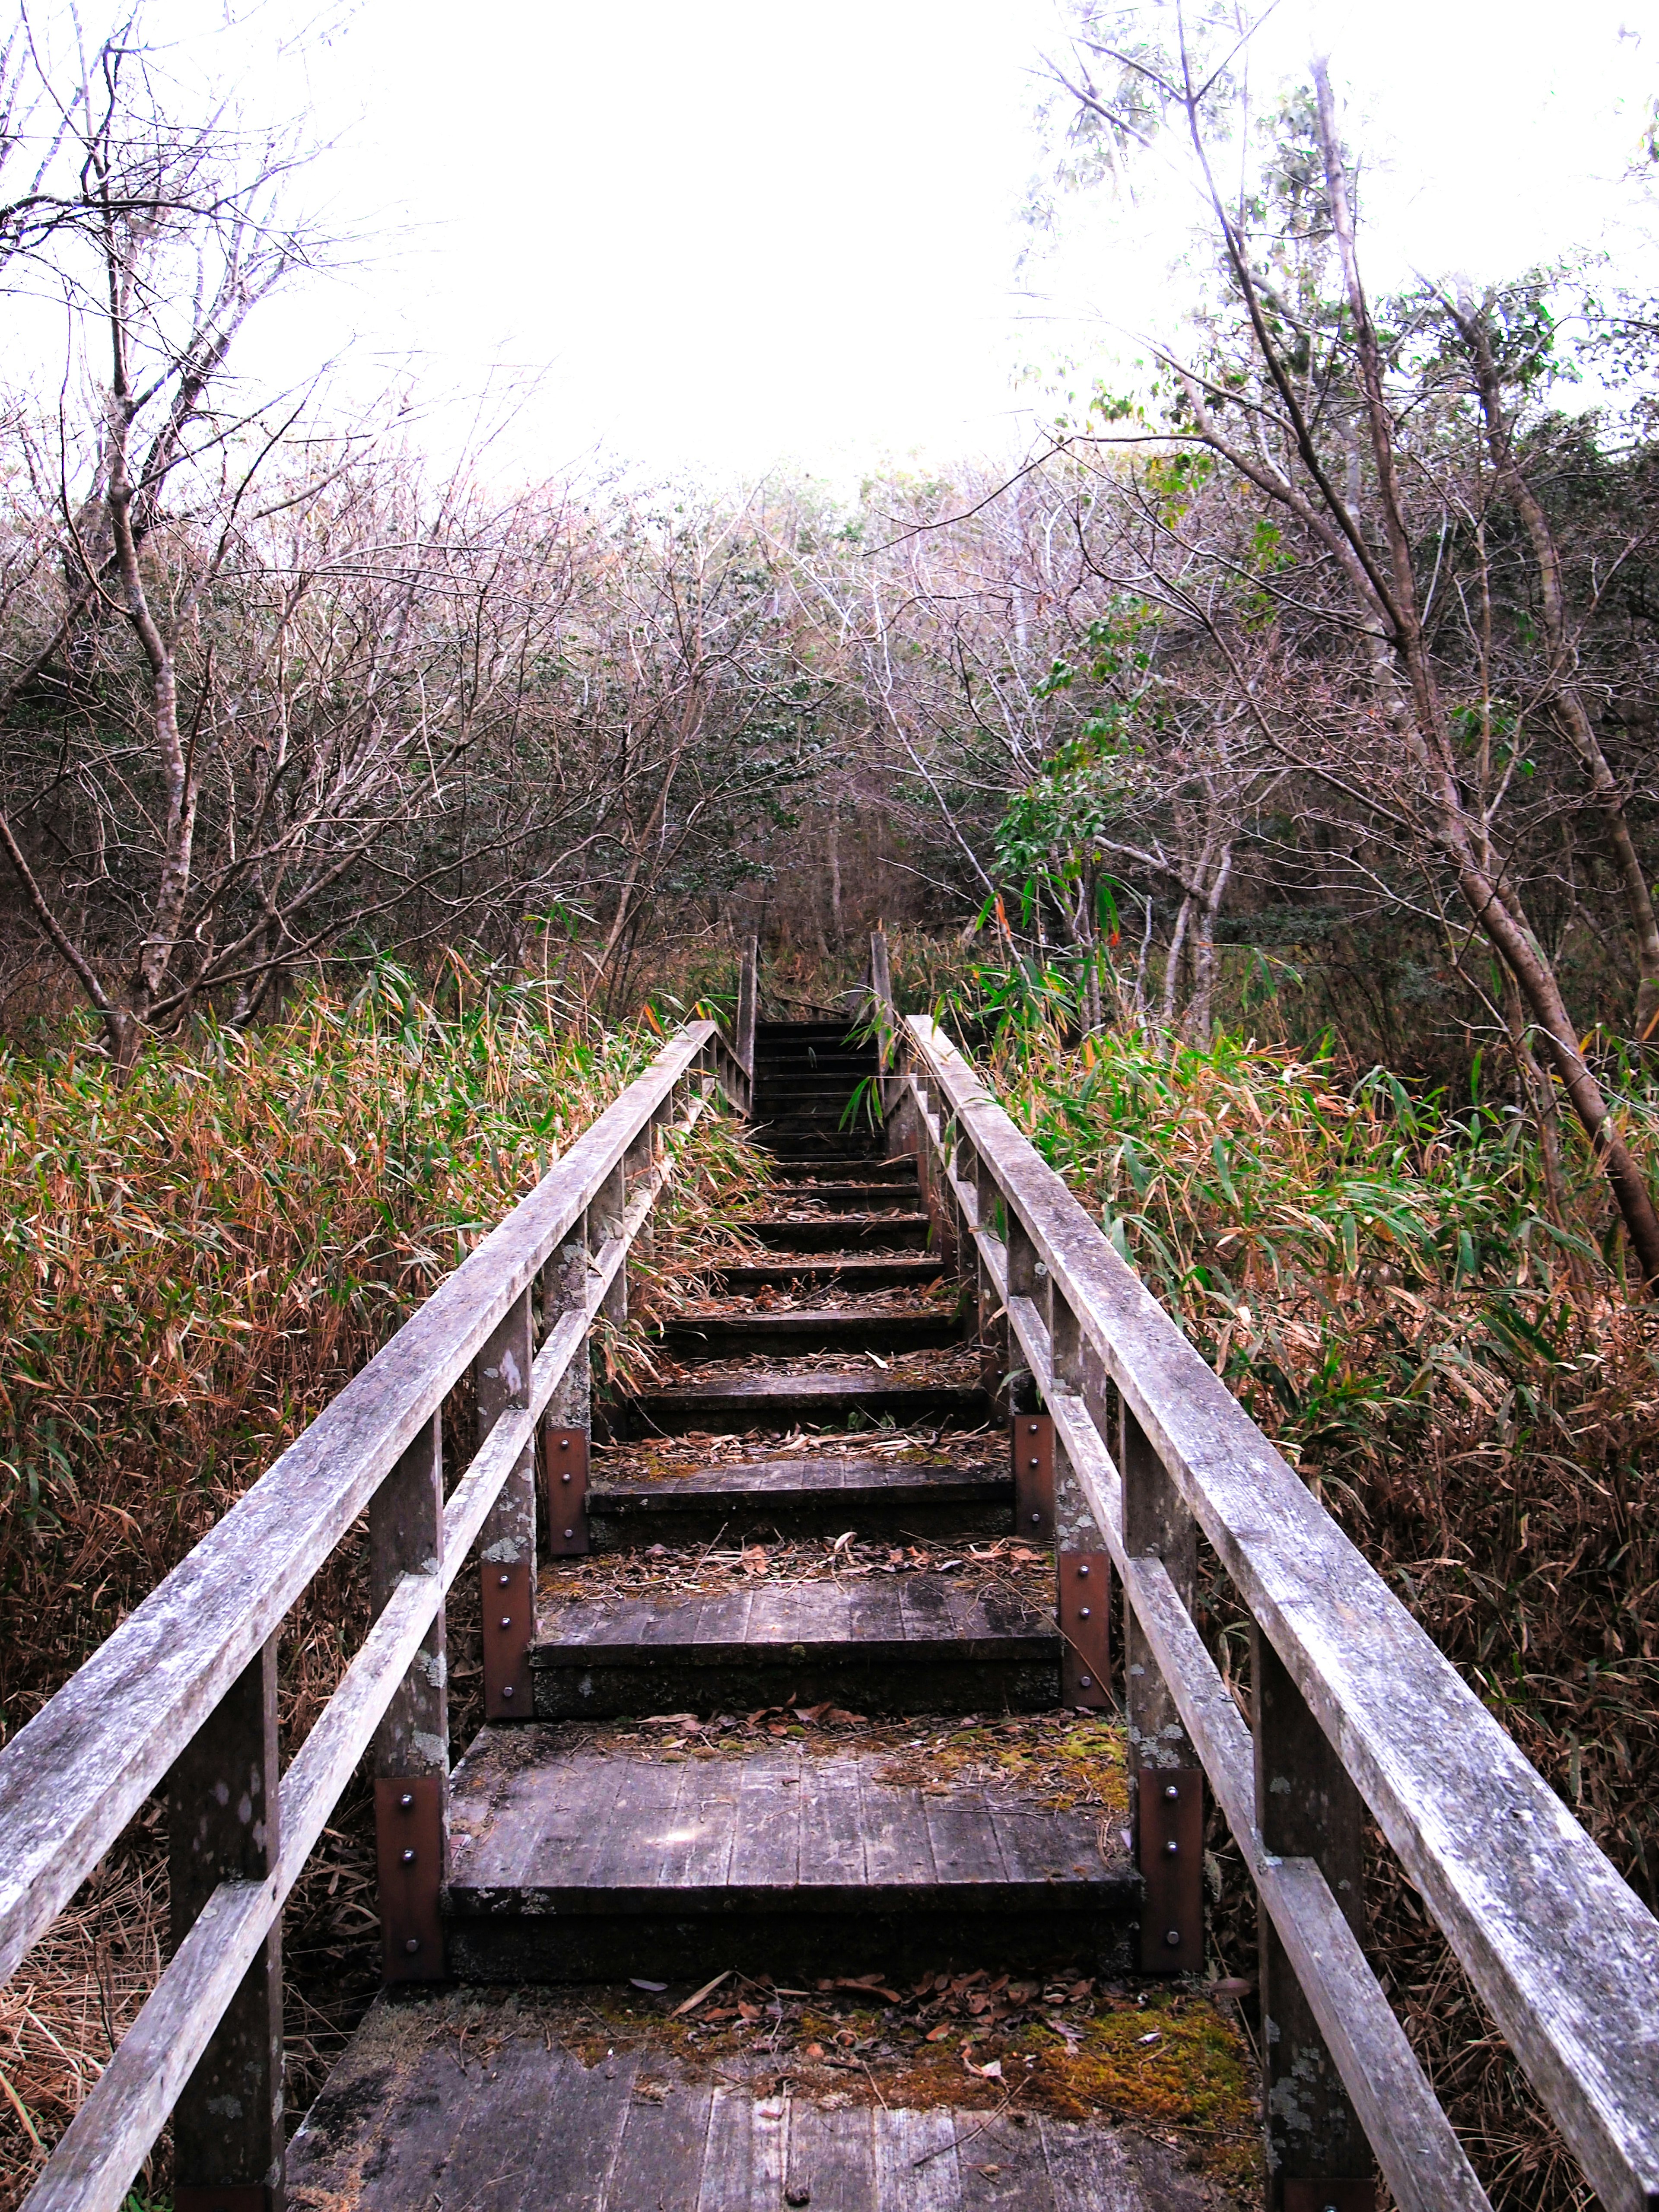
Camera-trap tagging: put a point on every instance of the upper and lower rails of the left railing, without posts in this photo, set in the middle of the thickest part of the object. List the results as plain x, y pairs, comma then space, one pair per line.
76, 1775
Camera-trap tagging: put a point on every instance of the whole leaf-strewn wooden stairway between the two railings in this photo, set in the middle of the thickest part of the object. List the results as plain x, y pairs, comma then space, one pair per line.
806, 1875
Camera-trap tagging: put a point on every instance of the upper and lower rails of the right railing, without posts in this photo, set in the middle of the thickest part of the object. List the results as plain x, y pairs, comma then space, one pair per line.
1552, 1937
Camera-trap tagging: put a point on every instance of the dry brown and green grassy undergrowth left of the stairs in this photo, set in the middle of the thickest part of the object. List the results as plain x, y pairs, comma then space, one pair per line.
191, 1266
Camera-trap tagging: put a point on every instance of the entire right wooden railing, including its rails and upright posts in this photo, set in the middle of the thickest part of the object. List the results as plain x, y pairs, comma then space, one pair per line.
1355, 1711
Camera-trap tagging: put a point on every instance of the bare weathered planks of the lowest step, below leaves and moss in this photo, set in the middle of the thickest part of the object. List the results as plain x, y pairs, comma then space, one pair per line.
419, 2116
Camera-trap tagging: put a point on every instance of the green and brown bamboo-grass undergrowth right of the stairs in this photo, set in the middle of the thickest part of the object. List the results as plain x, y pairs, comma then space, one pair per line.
1465, 1384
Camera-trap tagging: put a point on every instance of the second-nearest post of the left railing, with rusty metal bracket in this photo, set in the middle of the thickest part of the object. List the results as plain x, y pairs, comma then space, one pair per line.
413, 1742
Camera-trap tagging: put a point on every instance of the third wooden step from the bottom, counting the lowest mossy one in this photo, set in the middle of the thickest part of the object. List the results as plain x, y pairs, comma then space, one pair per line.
873, 1645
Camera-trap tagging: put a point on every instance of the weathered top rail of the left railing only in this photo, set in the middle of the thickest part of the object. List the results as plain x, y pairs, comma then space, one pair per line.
81, 1768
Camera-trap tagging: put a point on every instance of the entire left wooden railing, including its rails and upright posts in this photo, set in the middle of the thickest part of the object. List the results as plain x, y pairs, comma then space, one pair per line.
185, 1693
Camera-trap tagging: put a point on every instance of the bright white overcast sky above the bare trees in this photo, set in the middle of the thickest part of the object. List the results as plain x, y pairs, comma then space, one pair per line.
751, 231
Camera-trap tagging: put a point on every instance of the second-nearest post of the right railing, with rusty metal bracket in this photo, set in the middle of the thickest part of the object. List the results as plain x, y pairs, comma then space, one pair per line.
1167, 1780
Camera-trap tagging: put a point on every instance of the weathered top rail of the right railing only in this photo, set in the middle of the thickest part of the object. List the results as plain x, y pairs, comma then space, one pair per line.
1552, 1937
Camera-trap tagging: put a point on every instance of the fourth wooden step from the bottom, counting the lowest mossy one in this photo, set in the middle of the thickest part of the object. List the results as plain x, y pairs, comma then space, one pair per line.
802, 1499
